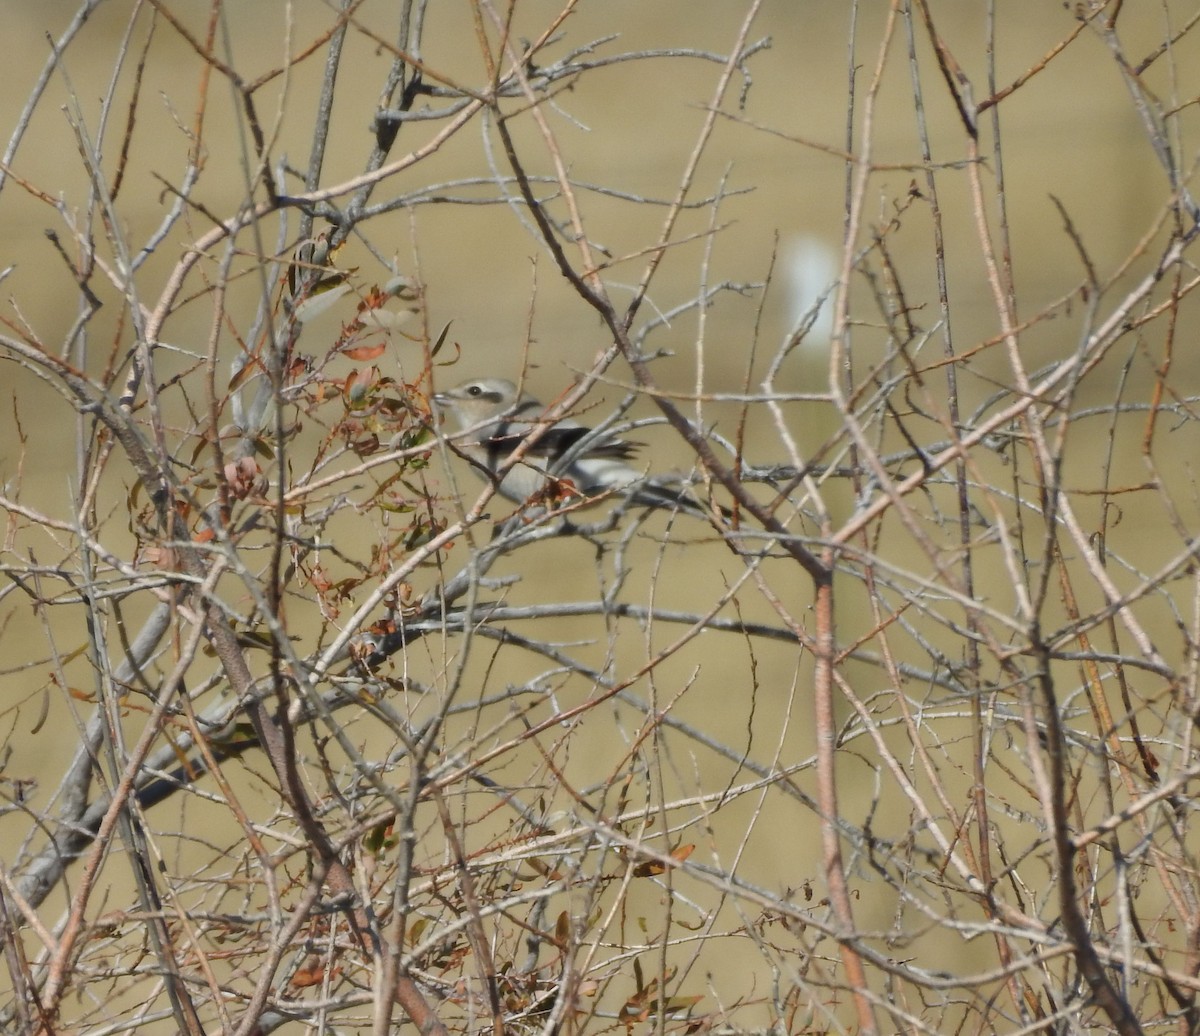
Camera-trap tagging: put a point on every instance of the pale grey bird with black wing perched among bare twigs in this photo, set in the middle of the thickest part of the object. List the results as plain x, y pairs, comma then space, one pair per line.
568, 460
